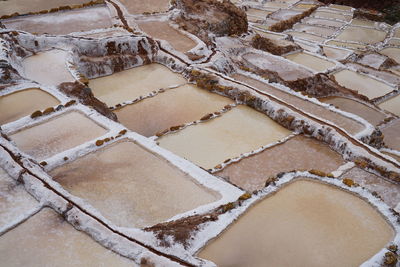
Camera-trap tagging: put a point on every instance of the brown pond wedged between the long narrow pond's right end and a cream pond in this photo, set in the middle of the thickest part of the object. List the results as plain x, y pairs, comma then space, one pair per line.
369, 114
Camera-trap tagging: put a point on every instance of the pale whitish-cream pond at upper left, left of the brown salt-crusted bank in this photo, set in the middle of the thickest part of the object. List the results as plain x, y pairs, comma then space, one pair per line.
38, 67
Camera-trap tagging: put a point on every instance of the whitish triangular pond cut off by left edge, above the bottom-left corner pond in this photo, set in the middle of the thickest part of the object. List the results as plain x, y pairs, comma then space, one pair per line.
14, 200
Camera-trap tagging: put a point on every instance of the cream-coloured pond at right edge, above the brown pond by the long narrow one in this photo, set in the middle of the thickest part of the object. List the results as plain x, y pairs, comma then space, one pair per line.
362, 83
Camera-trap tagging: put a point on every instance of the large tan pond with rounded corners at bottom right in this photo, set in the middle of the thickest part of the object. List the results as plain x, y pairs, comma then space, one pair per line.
305, 223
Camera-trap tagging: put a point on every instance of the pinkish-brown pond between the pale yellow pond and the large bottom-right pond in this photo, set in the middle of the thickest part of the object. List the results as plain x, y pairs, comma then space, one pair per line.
298, 153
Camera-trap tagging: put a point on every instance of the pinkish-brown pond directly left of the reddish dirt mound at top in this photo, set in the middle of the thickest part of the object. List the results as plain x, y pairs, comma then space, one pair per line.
162, 30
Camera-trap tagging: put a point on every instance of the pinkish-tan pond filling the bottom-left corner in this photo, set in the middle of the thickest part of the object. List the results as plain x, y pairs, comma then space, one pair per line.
46, 239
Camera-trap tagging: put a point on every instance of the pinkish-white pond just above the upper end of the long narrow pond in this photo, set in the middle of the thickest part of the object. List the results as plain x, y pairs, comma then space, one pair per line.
286, 70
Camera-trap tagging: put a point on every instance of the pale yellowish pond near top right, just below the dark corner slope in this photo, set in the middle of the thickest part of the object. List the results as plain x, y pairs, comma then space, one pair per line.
364, 35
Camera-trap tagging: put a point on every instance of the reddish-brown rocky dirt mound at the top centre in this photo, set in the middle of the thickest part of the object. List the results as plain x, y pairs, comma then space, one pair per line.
202, 17
